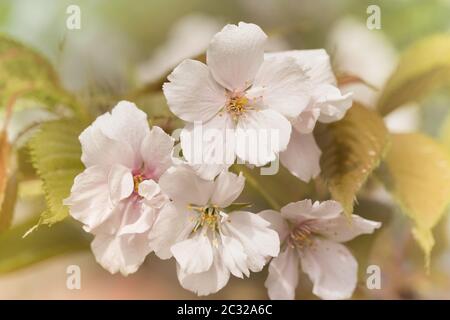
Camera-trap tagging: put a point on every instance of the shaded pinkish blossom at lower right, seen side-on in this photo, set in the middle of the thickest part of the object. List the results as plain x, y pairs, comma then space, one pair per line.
311, 235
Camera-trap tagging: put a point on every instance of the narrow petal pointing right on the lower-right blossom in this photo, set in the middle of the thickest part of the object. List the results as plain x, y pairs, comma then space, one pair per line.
342, 229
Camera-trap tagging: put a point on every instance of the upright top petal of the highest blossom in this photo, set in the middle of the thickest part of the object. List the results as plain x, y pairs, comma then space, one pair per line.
235, 55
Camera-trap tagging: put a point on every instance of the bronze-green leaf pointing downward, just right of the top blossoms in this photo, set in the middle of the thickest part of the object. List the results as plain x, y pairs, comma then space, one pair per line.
351, 149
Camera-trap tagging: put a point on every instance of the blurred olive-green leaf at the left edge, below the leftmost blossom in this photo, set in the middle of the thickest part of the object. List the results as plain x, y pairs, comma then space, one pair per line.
17, 252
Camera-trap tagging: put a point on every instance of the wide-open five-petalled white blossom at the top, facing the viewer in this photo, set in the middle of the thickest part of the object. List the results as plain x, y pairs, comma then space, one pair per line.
242, 98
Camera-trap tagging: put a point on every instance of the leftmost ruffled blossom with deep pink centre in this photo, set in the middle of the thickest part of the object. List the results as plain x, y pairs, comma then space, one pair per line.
117, 197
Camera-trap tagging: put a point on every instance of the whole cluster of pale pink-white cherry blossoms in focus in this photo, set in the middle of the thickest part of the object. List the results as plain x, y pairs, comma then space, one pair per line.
136, 197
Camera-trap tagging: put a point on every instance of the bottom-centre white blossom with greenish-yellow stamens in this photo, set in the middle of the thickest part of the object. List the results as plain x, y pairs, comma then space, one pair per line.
208, 243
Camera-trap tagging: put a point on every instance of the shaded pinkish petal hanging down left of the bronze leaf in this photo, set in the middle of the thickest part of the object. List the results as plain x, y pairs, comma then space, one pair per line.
302, 156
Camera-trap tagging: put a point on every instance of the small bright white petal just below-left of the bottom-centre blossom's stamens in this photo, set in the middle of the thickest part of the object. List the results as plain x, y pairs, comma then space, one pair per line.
194, 255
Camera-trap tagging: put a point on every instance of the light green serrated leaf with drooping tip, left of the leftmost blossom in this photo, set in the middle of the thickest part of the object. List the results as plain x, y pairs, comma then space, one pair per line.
56, 156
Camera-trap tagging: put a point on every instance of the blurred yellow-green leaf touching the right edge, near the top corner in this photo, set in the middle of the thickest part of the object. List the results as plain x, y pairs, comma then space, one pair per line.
423, 68
